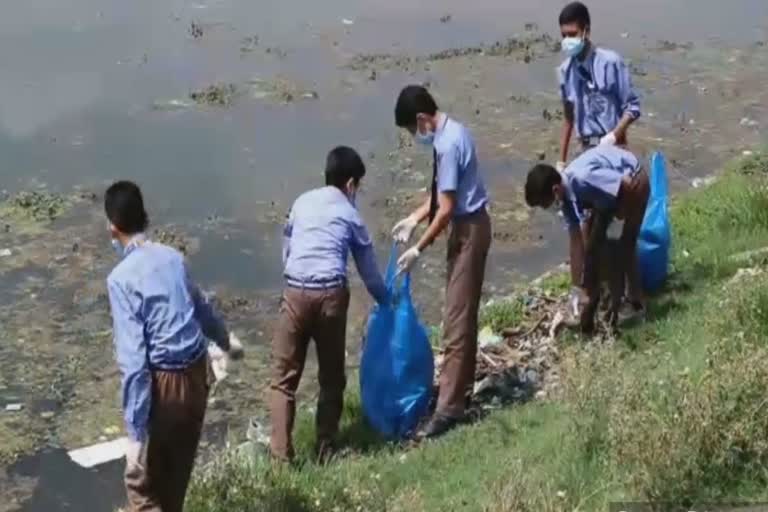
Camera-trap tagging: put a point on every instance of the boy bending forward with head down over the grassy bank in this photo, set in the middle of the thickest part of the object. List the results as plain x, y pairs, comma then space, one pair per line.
610, 182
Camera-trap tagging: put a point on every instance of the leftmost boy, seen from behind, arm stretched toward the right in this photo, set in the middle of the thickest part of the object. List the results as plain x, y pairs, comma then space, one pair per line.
161, 321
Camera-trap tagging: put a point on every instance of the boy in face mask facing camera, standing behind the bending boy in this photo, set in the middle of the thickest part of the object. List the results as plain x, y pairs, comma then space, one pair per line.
595, 86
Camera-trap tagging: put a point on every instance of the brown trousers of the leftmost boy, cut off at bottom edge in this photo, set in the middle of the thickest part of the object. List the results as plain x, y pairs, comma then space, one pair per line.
179, 398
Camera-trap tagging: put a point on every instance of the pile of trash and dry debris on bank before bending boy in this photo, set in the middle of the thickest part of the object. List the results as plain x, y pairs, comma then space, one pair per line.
519, 363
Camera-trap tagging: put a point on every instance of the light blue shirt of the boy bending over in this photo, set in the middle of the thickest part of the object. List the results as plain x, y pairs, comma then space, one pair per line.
593, 180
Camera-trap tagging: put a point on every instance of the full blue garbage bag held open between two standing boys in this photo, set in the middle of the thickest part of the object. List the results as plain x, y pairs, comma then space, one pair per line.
397, 366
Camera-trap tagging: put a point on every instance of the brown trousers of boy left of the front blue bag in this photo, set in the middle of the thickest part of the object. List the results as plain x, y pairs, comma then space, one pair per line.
308, 314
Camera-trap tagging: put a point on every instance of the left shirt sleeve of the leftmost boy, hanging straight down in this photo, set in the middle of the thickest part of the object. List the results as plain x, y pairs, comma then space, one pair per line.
131, 349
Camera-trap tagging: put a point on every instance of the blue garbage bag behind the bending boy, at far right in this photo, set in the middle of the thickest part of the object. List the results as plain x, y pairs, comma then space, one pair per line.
655, 238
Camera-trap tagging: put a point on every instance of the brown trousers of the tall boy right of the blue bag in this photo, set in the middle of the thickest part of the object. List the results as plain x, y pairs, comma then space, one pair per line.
468, 246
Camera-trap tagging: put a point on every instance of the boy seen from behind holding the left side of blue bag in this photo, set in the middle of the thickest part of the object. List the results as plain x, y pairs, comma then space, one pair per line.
323, 227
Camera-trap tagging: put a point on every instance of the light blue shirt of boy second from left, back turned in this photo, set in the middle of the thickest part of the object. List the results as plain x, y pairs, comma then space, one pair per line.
323, 227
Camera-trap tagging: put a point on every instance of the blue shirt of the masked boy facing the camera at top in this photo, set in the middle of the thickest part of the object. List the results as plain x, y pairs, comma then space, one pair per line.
600, 90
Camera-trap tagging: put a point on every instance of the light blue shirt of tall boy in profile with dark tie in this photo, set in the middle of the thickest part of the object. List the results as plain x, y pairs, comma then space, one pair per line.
457, 167
